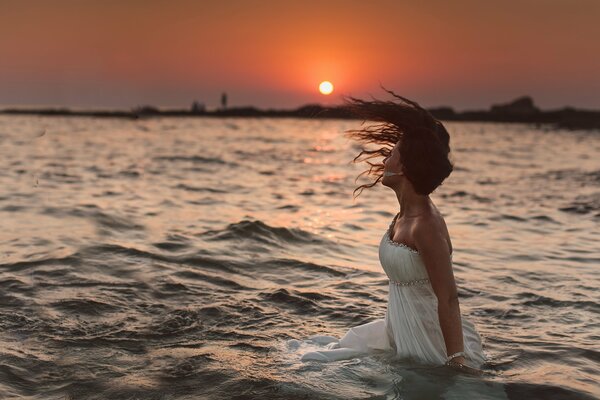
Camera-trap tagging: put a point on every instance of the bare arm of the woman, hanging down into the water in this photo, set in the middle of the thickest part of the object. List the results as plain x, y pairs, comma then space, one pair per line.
433, 247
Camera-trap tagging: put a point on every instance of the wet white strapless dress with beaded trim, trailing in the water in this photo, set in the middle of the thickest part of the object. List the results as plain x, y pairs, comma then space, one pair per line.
410, 329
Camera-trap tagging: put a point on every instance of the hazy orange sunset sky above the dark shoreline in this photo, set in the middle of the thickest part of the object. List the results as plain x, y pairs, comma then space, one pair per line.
273, 54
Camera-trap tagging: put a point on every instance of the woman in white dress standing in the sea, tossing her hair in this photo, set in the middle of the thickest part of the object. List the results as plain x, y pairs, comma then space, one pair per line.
423, 320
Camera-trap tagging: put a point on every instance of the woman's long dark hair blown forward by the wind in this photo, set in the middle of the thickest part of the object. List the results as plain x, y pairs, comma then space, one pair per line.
424, 148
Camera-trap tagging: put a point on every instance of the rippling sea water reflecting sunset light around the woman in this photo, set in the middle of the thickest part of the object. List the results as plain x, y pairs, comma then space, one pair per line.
177, 258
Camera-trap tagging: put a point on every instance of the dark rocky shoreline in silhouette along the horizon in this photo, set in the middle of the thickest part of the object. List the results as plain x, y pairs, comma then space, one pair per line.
520, 110
